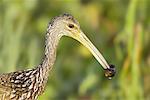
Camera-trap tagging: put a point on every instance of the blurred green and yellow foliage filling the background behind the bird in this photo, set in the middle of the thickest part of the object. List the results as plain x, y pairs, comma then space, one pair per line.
119, 28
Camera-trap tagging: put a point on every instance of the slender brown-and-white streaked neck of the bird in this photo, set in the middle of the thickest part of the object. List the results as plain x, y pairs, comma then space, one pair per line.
52, 39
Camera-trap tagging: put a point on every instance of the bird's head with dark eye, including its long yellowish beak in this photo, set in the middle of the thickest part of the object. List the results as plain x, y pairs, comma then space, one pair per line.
69, 26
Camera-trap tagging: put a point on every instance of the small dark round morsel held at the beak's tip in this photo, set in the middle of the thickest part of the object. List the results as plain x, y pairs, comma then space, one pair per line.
109, 73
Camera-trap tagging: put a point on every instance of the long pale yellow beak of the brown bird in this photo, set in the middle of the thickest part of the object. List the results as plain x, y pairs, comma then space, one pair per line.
81, 37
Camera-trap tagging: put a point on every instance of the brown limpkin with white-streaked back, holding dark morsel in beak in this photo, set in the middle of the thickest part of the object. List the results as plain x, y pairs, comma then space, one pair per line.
29, 84
